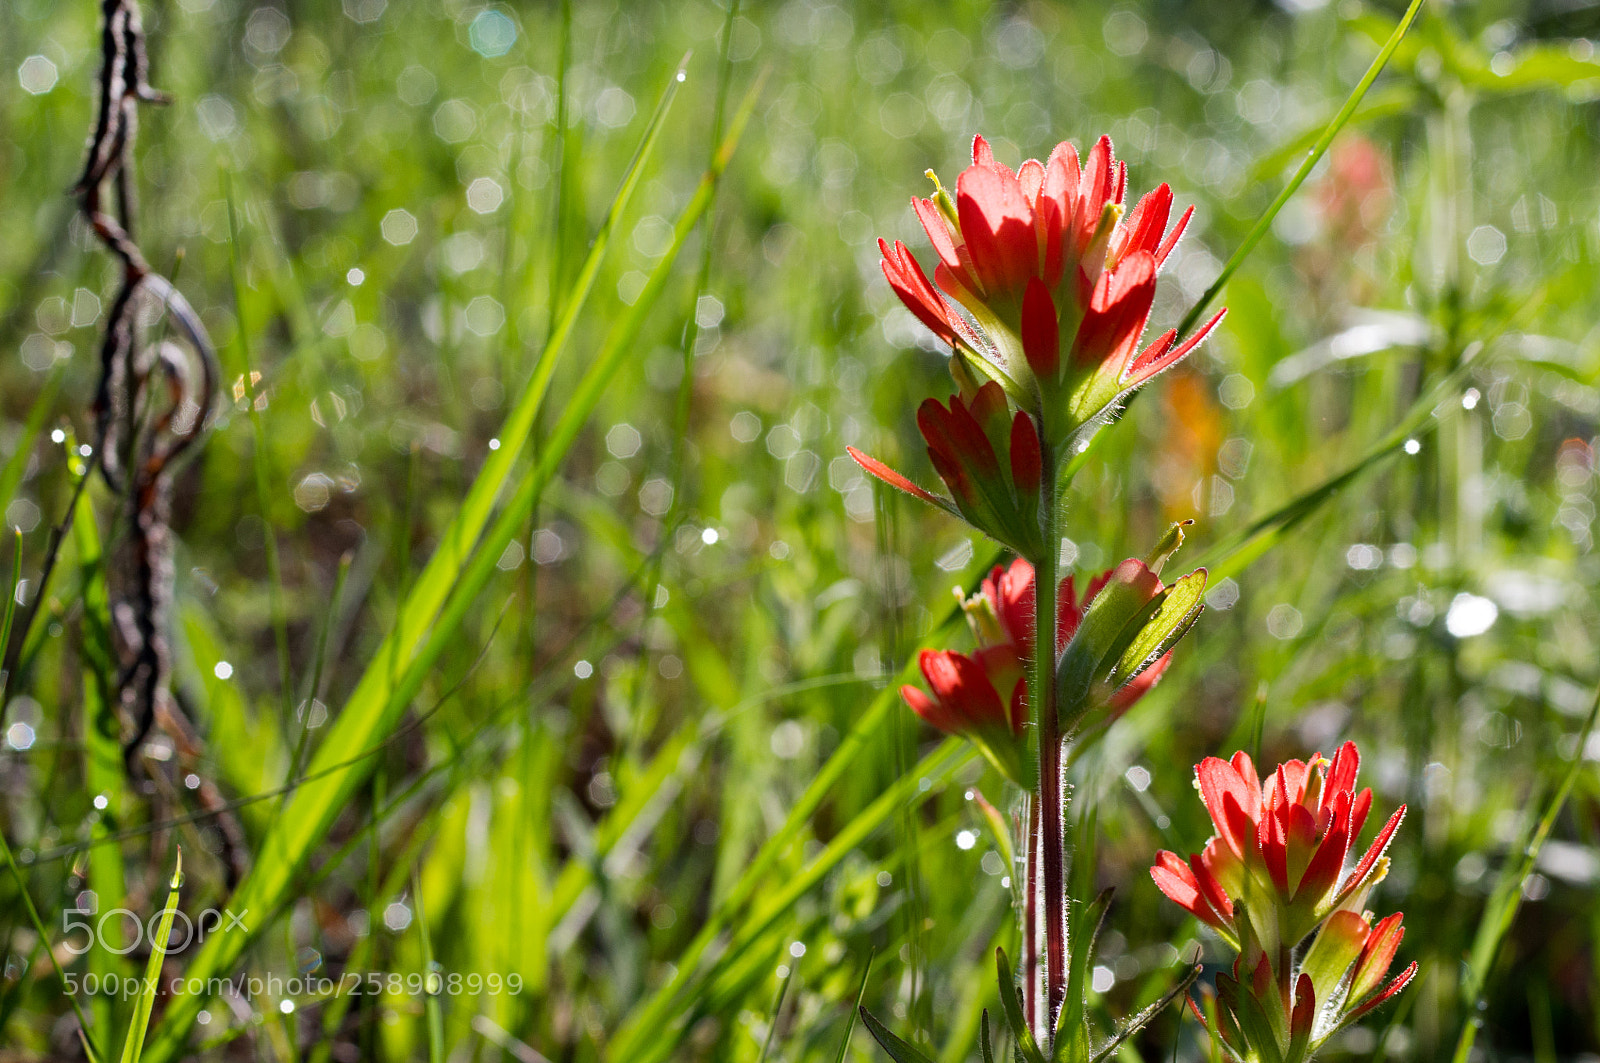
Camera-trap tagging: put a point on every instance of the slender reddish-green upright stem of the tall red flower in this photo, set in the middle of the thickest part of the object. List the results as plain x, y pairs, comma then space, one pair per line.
1042, 708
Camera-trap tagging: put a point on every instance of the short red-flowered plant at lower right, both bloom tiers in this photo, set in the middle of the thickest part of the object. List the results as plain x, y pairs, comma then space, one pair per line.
1276, 872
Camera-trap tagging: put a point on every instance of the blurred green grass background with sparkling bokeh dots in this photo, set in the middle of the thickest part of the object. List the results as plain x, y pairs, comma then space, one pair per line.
695, 622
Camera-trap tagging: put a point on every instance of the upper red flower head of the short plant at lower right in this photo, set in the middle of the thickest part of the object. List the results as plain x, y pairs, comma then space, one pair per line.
1282, 848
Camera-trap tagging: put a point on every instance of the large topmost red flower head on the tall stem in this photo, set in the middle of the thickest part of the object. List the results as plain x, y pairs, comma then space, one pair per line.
1055, 281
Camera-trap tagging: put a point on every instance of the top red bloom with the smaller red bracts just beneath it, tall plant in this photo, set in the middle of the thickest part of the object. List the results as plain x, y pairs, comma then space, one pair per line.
1044, 289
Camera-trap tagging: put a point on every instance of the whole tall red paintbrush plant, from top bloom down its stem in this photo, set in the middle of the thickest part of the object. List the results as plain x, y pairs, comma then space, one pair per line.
1042, 294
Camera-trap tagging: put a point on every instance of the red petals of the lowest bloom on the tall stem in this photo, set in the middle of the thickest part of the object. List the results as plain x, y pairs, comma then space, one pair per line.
985, 696
